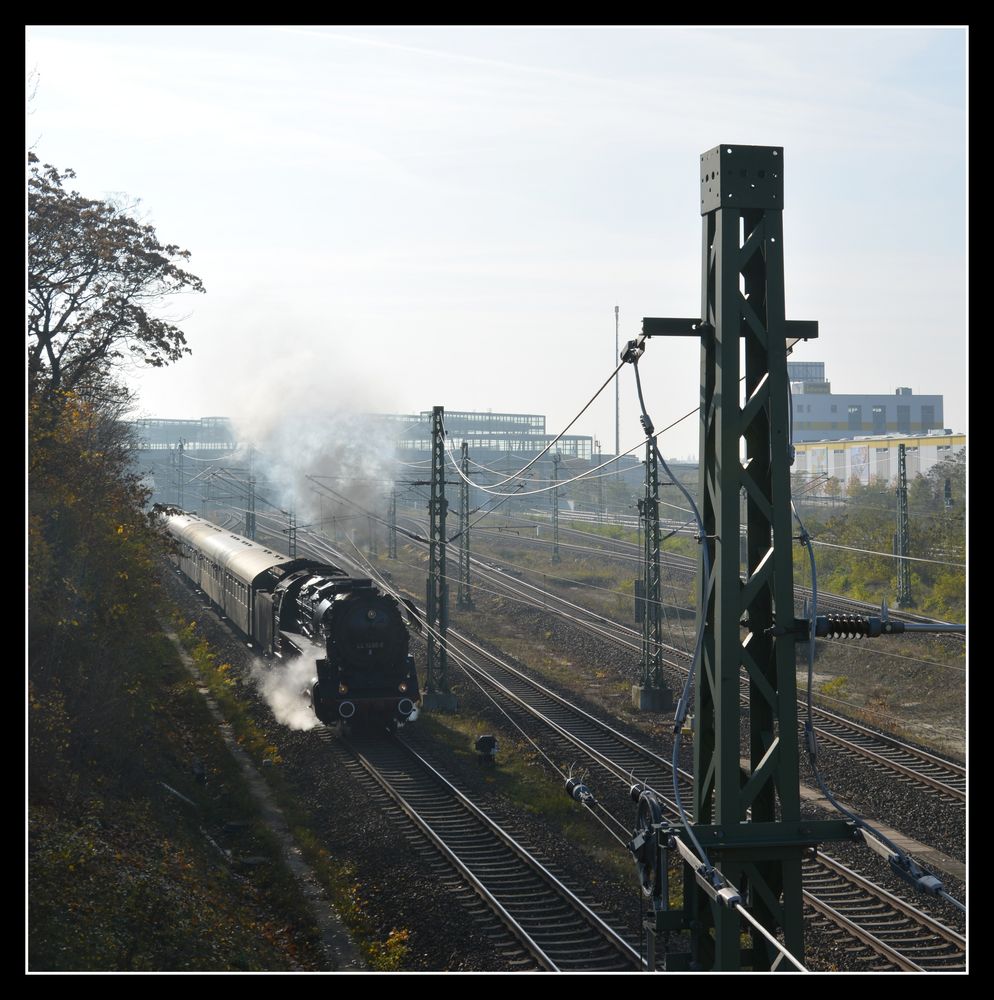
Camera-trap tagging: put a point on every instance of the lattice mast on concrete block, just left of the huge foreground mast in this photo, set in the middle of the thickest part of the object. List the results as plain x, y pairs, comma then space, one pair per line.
651, 694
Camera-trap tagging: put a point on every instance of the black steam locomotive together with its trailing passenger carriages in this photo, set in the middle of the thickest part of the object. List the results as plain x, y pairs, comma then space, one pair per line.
356, 634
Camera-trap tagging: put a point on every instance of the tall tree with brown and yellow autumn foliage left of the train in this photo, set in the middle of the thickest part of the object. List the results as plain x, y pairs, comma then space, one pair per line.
95, 275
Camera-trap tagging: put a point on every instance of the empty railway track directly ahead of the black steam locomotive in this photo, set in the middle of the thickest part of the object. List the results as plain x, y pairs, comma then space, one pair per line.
548, 926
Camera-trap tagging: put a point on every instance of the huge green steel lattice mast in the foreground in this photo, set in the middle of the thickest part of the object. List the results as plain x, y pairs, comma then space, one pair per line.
746, 818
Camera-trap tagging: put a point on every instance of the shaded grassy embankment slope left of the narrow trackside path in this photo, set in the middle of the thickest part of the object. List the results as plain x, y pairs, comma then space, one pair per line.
146, 849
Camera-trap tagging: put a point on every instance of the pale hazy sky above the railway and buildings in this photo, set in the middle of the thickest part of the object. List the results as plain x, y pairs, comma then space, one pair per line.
388, 219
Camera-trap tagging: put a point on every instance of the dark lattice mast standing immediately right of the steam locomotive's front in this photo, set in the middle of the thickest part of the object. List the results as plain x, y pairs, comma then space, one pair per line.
437, 693
